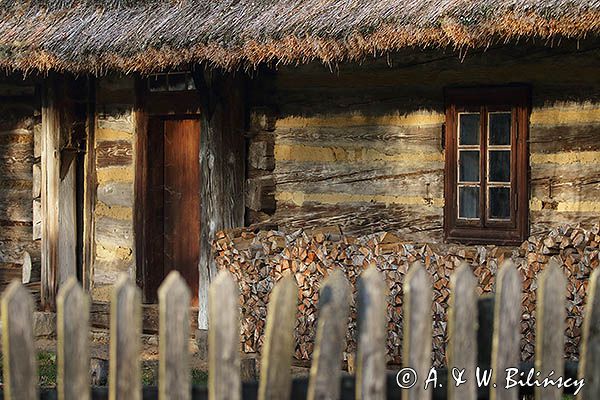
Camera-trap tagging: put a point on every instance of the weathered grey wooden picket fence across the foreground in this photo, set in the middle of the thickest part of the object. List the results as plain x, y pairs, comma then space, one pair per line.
326, 381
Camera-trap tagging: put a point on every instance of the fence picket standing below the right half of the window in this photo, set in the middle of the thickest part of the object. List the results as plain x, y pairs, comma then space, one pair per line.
505, 343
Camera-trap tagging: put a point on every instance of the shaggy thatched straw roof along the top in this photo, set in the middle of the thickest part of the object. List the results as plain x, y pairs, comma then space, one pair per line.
138, 35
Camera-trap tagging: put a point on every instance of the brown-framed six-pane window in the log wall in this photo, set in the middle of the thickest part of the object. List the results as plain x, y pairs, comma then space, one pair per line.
486, 165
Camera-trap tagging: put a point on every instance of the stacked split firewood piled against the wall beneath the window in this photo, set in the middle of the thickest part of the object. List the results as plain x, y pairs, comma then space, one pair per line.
258, 260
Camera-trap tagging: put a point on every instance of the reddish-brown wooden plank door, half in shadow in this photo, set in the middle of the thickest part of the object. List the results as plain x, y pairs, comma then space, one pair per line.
173, 206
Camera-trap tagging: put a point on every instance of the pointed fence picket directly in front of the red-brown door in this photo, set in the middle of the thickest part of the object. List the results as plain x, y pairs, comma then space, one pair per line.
174, 332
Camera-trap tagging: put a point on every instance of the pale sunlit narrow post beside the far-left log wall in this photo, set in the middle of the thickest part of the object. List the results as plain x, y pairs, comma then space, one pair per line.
50, 161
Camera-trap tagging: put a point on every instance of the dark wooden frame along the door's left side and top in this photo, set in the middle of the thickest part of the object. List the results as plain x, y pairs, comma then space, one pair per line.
184, 104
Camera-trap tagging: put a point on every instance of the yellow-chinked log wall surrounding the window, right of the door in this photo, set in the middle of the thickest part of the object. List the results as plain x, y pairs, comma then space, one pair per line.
360, 146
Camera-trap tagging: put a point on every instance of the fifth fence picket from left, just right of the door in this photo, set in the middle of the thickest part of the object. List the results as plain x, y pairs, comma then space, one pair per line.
224, 382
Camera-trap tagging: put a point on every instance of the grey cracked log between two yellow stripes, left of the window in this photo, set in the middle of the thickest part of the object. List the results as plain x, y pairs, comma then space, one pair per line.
424, 180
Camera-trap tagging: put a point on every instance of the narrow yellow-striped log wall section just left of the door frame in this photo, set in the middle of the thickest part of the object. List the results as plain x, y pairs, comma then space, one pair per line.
113, 214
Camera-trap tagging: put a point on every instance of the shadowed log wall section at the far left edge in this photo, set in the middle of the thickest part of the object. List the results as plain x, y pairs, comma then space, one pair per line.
20, 127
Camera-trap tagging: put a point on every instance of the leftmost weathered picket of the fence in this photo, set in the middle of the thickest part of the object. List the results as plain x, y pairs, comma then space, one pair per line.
18, 347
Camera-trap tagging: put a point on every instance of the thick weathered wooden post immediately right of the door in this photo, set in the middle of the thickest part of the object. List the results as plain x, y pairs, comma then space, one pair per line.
222, 165
